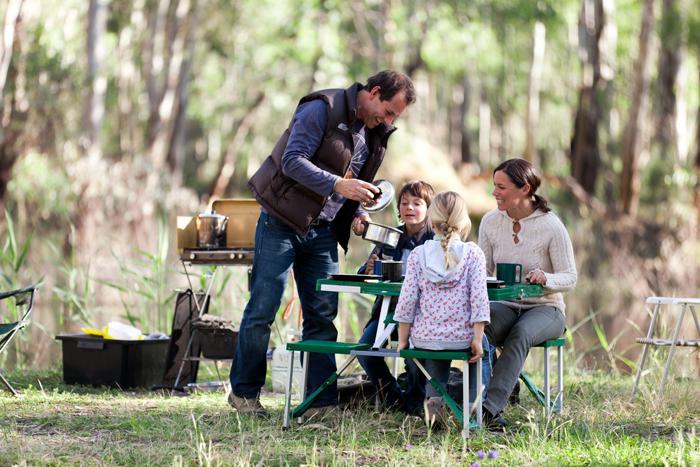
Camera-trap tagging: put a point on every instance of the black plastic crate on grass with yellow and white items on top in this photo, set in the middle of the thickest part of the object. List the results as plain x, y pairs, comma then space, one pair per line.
123, 364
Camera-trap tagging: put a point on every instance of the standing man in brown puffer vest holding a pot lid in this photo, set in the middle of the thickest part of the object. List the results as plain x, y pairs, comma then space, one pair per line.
310, 188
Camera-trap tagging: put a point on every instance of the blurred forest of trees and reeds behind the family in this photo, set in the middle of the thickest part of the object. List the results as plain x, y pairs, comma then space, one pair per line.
117, 116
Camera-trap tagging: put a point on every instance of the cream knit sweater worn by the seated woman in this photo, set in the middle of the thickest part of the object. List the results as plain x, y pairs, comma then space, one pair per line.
543, 244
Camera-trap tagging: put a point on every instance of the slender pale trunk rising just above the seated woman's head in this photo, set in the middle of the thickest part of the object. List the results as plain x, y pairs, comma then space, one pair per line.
533, 92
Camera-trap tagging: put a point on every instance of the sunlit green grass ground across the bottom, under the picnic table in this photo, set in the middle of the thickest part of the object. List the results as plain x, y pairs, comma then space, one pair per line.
52, 423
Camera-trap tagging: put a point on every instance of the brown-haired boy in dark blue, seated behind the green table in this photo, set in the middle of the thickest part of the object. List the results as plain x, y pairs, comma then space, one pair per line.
414, 199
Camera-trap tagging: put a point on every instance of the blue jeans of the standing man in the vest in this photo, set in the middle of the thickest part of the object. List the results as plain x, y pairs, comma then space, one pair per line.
314, 256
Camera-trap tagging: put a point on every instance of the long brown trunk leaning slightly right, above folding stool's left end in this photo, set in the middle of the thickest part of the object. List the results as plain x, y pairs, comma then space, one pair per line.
631, 144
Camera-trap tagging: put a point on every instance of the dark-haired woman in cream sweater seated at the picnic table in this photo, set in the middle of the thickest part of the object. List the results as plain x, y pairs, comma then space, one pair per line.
525, 231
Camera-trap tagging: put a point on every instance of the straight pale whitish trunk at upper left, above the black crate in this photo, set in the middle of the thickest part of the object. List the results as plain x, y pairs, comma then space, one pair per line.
96, 80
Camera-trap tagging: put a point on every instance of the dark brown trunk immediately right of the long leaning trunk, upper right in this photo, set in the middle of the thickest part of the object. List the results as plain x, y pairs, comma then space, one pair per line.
669, 64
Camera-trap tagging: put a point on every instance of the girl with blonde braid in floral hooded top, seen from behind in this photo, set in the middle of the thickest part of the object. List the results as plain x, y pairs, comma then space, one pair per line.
444, 304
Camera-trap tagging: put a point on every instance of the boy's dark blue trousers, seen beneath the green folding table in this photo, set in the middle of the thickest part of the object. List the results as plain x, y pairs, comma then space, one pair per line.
378, 372
